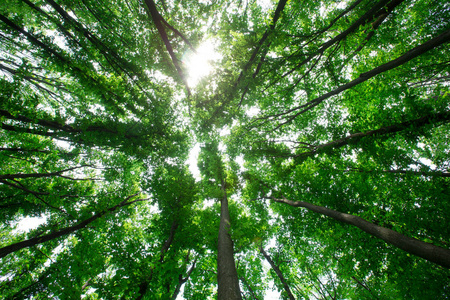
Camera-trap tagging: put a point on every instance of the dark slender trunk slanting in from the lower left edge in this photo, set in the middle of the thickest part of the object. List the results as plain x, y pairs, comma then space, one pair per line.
65, 231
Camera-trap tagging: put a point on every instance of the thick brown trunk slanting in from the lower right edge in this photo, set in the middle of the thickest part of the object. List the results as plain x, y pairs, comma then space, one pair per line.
430, 252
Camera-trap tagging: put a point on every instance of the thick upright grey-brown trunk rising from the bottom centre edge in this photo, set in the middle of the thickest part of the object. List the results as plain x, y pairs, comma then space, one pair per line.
228, 281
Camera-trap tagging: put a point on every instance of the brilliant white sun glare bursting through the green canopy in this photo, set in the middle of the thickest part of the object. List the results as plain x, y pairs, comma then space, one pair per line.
199, 64
